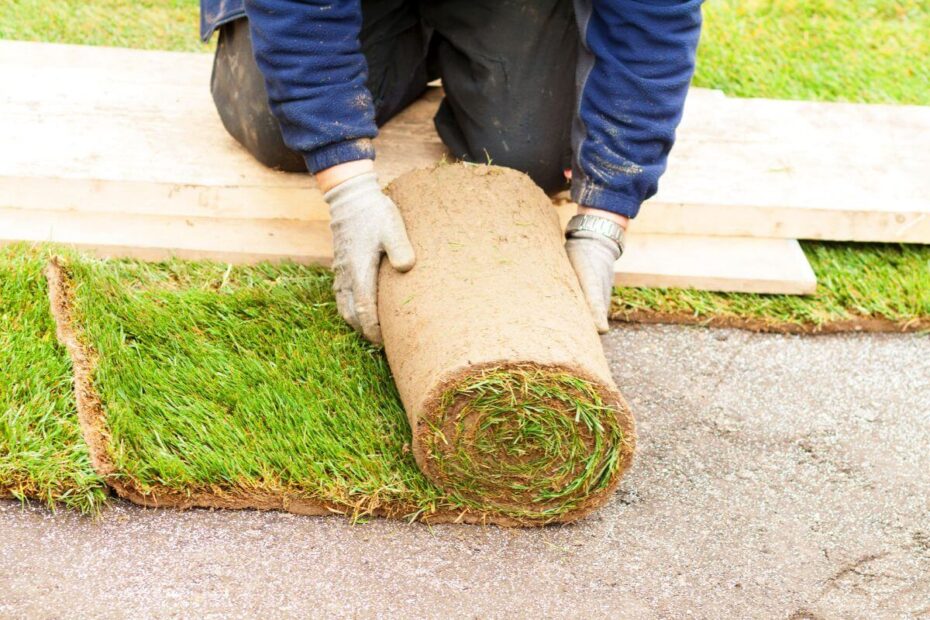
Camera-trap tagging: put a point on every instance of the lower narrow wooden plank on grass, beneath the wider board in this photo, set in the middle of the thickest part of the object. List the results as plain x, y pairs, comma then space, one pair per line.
709, 263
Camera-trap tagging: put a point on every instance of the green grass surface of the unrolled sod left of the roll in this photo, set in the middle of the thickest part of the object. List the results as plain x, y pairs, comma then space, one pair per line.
224, 382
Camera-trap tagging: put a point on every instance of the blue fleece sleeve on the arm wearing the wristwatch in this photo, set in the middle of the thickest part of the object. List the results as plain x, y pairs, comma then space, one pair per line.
635, 66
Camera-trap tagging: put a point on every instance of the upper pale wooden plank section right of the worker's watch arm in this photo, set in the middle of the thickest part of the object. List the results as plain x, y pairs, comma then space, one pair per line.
797, 169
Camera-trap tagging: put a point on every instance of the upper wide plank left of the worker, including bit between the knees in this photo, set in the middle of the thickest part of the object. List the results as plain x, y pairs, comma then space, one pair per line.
117, 130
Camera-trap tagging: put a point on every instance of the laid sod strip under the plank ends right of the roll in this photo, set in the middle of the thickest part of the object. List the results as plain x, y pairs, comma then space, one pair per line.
860, 287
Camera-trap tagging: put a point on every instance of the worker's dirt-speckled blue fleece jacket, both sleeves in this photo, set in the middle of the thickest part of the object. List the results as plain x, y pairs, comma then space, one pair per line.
634, 71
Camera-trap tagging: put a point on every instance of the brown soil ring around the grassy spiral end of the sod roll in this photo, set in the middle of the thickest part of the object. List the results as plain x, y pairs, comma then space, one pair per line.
608, 392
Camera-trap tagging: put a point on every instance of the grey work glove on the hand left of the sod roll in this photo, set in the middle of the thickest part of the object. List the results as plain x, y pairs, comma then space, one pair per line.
365, 225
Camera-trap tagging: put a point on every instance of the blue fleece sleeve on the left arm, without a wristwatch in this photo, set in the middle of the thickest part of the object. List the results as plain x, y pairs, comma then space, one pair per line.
309, 54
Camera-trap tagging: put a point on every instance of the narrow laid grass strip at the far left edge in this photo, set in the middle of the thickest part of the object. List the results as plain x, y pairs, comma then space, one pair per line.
42, 453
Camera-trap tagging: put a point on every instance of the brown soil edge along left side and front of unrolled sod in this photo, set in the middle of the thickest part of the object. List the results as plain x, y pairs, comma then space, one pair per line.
93, 423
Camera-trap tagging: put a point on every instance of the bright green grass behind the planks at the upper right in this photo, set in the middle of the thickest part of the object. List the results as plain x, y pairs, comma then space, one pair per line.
872, 51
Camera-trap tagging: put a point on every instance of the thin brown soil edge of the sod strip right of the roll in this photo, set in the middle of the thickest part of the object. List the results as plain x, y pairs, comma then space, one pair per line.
865, 324
